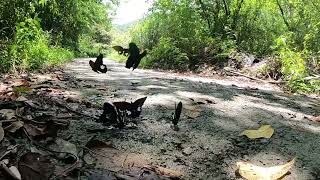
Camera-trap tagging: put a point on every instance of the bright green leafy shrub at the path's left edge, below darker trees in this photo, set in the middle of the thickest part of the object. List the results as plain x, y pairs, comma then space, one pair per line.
30, 49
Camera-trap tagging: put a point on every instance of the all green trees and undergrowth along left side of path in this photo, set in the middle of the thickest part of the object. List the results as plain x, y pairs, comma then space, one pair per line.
40, 33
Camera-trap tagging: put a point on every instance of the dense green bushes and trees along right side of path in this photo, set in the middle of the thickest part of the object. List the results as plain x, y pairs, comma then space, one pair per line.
184, 35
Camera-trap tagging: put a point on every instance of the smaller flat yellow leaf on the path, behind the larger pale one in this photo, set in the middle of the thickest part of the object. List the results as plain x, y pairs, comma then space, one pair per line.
265, 131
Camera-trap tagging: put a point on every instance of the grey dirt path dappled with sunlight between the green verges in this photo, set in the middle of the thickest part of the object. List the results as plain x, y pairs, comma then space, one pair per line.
208, 144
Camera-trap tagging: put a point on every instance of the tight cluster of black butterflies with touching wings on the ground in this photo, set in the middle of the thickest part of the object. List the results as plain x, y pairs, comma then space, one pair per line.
116, 112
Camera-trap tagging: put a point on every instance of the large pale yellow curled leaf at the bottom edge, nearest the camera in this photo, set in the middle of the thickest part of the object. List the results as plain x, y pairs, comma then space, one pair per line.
253, 172
